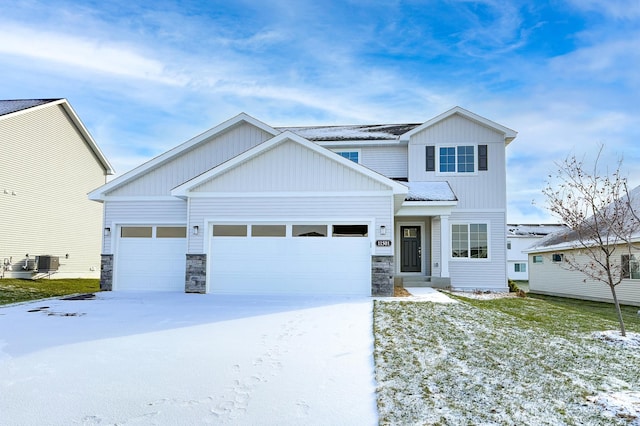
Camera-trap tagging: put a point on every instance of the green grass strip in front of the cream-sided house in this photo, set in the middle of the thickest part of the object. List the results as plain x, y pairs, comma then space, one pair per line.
17, 290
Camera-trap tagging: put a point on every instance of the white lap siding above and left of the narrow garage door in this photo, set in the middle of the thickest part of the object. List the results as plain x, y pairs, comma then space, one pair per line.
143, 213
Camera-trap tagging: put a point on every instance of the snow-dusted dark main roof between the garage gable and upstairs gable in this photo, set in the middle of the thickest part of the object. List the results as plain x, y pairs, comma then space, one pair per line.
351, 132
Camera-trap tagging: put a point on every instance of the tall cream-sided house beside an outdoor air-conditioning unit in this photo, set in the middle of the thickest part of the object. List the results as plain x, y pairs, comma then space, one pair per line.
48, 164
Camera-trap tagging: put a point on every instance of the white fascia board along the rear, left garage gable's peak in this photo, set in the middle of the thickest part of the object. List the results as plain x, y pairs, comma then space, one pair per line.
97, 194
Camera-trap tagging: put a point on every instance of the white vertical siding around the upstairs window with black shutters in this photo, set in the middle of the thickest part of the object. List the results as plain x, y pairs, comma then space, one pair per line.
479, 190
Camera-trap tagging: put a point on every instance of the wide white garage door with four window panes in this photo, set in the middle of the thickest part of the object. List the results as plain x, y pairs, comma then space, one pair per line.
290, 259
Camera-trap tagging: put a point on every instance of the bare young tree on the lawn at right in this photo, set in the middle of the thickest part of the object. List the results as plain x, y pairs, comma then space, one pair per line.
599, 213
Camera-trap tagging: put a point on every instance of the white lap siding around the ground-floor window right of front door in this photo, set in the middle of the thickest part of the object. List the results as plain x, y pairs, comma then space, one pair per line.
471, 274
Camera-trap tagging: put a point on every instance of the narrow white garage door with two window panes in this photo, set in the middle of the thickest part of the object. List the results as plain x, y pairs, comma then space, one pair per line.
150, 258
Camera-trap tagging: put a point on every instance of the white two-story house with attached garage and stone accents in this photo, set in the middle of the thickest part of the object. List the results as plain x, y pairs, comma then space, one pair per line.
249, 208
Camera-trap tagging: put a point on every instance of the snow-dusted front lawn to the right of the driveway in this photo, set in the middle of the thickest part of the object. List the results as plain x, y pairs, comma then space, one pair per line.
469, 363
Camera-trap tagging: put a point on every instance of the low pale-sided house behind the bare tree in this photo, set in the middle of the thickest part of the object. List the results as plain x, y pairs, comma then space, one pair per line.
547, 276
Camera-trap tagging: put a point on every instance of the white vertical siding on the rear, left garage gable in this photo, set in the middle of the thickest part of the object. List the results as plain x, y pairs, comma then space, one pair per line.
205, 156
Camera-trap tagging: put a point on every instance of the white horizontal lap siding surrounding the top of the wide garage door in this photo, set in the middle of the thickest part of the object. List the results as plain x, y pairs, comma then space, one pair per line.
289, 209
